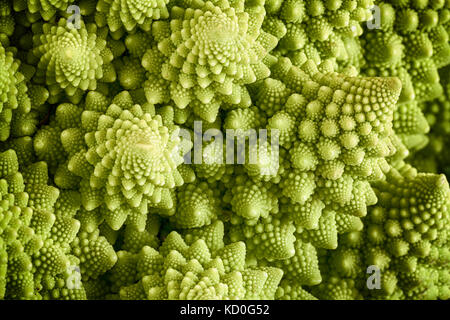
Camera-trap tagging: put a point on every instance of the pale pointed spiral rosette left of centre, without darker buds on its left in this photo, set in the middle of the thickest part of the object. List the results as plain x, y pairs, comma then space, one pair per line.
129, 162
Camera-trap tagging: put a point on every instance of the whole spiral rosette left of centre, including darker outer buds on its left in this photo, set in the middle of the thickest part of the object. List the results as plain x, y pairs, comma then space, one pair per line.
120, 156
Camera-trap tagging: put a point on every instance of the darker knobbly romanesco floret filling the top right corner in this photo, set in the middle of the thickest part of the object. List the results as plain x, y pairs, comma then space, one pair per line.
412, 44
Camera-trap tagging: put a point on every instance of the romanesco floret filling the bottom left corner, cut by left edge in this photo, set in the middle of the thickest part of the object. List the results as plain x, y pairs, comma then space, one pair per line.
35, 234
